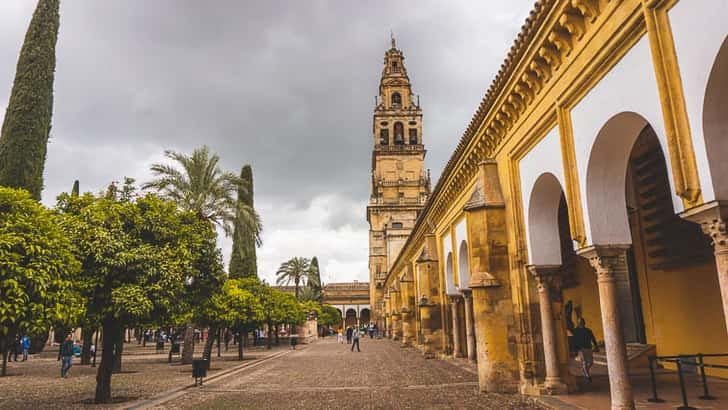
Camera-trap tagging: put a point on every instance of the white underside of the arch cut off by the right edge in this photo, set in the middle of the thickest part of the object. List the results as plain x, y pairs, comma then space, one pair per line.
715, 122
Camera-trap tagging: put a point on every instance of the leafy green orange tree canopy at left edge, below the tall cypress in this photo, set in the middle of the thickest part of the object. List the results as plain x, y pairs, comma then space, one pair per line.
37, 268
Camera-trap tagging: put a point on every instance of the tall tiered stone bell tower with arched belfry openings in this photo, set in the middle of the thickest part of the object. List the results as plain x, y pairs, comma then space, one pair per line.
400, 185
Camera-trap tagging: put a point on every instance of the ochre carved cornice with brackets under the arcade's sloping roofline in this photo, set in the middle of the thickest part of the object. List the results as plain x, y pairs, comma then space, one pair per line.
548, 37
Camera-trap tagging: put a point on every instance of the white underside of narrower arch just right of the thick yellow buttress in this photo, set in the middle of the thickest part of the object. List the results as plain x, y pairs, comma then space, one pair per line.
543, 221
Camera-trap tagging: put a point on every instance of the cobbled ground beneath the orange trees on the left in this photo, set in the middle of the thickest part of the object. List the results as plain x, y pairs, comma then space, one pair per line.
37, 383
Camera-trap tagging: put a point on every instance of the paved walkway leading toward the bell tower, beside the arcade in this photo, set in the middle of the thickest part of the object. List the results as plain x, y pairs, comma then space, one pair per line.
327, 375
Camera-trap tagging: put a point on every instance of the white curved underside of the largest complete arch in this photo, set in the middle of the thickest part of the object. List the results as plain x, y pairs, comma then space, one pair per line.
606, 178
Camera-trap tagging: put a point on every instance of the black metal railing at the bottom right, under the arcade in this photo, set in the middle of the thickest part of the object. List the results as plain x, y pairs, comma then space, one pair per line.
697, 360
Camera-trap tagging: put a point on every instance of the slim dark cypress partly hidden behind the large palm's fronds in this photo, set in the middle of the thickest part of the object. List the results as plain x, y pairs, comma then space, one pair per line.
243, 261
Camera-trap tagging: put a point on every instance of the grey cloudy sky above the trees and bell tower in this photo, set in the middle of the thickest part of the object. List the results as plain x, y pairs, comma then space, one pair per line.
287, 86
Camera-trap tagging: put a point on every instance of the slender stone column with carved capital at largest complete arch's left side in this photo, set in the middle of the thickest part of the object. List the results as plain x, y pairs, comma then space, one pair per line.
604, 259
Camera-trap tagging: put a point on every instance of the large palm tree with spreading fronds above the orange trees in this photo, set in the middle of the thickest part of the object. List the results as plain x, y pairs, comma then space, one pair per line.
197, 184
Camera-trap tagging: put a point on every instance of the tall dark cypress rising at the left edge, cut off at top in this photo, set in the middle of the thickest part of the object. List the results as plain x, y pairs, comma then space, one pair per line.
27, 123
